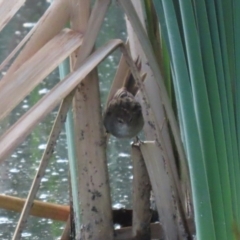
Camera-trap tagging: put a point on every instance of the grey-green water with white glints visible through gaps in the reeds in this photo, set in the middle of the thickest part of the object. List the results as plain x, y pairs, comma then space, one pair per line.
18, 171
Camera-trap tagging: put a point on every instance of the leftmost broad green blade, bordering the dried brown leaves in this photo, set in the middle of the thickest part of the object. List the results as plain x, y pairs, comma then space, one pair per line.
190, 127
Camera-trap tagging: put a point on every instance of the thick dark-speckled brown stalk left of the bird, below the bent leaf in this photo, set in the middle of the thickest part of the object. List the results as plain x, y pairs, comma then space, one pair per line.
94, 190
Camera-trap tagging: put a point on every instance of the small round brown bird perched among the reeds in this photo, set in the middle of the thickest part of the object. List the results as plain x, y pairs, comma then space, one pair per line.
123, 117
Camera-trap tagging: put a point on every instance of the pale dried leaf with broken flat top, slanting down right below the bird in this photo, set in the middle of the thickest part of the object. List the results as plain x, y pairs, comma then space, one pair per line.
162, 189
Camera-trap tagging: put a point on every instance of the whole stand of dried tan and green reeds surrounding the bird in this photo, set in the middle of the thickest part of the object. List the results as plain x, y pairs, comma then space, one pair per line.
183, 56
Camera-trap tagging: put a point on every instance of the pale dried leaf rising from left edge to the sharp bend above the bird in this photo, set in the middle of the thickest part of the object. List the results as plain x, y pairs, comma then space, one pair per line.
23, 127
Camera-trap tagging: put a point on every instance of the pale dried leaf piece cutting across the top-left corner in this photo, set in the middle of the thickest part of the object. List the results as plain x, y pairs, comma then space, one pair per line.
7, 10
